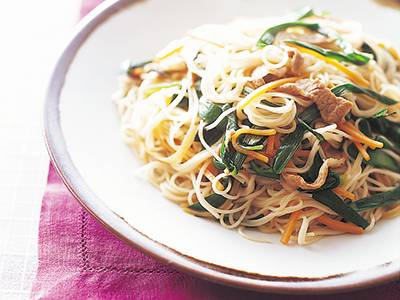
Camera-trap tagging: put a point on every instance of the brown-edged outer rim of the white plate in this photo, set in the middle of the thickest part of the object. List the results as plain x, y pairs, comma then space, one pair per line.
76, 184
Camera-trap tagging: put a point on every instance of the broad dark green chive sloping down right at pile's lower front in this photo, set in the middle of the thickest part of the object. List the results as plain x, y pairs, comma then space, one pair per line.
334, 202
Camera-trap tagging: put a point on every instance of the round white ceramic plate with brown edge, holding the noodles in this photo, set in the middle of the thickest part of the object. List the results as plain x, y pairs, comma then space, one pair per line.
82, 131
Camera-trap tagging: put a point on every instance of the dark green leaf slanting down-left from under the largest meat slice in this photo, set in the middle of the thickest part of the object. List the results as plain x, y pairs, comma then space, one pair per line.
292, 141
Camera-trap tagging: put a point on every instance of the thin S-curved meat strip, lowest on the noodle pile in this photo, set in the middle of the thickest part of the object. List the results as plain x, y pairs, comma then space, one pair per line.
296, 181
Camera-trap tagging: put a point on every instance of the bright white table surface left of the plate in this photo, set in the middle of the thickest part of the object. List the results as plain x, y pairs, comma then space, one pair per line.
32, 34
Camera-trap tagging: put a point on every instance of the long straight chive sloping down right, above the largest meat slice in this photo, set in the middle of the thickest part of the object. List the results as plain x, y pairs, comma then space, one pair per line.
353, 57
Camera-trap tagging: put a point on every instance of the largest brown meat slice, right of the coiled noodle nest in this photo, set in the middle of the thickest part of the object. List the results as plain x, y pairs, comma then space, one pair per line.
332, 108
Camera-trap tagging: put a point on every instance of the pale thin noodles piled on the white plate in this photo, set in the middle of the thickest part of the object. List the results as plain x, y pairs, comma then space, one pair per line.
225, 59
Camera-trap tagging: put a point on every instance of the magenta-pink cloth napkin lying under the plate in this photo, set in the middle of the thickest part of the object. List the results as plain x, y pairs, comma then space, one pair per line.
79, 259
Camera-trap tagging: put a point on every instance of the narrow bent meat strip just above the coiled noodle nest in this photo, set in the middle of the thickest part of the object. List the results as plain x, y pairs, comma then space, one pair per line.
294, 68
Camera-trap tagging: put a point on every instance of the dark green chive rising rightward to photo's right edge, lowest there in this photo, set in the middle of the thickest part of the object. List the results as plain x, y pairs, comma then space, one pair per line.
377, 200
